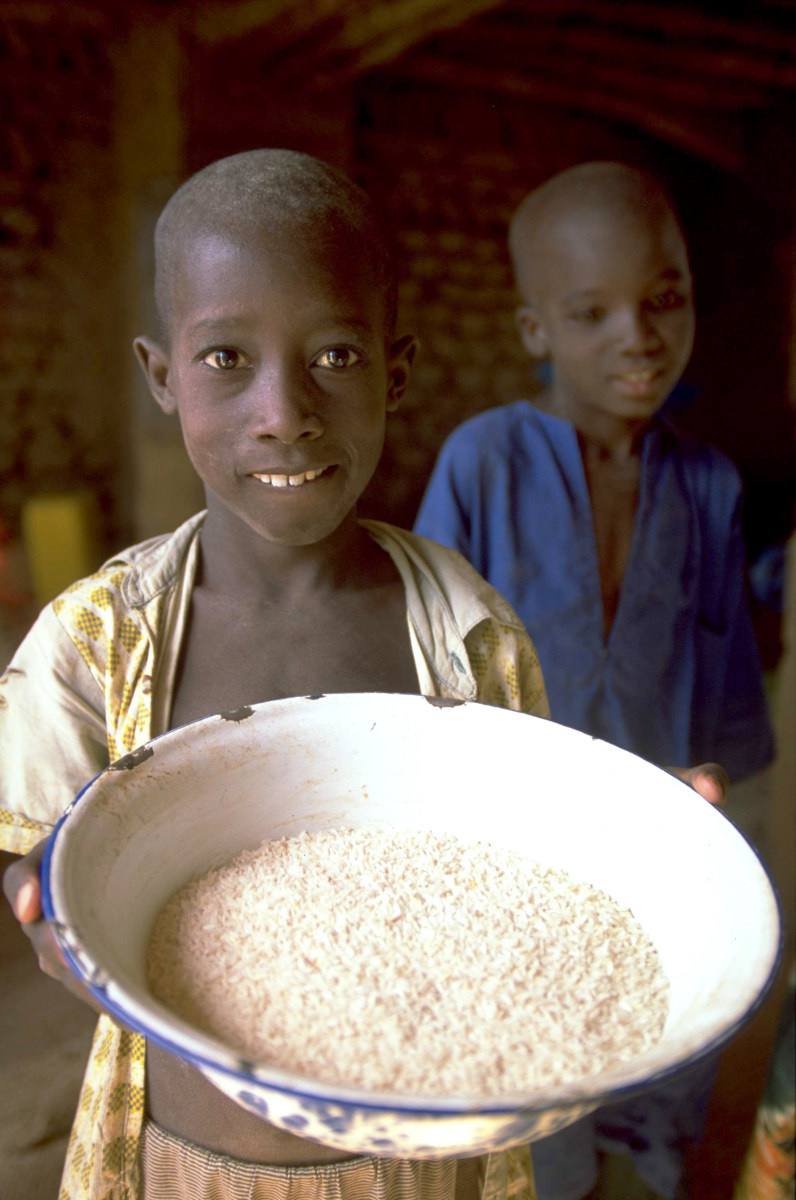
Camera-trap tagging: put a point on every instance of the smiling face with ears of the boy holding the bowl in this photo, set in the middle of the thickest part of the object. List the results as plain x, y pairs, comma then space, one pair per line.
282, 374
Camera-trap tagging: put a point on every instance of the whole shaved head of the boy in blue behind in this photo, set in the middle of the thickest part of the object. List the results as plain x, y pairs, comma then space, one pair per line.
603, 272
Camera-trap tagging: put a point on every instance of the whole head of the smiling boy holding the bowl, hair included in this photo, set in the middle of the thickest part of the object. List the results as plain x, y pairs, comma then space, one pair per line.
277, 305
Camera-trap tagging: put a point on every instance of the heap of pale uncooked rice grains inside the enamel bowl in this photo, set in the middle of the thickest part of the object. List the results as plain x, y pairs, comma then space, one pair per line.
409, 962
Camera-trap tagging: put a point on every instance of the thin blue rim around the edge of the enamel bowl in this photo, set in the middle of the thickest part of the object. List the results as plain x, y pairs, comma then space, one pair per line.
254, 1073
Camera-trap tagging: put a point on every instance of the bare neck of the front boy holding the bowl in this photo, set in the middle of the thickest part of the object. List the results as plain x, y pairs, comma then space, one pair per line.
240, 563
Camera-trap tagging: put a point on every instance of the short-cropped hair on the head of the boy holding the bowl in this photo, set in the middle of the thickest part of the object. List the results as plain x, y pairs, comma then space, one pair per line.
268, 191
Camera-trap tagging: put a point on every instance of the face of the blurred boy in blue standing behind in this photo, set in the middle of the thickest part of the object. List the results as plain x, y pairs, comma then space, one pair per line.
613, 313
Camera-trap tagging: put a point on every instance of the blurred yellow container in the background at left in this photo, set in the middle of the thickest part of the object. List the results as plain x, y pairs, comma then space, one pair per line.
61, 536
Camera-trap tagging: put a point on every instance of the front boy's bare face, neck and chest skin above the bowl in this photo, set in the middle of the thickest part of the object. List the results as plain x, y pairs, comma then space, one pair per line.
282, 365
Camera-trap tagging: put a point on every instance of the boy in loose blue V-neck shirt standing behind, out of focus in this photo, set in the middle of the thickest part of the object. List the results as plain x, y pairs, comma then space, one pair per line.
615, 538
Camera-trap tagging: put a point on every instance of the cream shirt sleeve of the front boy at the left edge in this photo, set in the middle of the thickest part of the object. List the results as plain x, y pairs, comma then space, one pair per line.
52, 734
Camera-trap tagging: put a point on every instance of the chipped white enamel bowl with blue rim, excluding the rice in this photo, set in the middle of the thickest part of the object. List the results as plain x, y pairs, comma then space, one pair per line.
199, 795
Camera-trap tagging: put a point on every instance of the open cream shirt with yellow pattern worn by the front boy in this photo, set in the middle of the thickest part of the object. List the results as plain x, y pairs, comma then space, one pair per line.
95, 679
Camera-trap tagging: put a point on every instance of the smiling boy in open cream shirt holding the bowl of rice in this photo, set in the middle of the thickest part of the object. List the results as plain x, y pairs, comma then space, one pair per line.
279, 355
